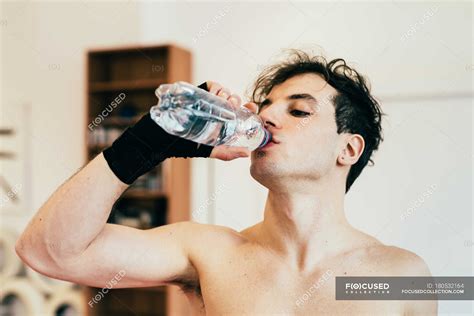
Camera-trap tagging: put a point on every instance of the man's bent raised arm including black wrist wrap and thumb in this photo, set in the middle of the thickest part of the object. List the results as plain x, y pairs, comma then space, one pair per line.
69, 238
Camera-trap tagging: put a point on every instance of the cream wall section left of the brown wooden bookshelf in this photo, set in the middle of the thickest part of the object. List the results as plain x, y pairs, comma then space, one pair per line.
43, 65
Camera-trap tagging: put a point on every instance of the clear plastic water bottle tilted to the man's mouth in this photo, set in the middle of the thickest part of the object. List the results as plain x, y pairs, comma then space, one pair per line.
197, 115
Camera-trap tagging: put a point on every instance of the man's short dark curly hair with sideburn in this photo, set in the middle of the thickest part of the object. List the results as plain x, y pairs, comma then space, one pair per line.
357, 111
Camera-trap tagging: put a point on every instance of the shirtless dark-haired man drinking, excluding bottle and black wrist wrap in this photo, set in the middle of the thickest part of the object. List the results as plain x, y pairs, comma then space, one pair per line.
304, 239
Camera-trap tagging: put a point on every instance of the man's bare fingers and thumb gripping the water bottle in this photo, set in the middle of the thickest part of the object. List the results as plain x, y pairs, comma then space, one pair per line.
226, 152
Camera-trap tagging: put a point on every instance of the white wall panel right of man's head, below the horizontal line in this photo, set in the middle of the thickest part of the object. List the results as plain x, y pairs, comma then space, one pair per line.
418, 194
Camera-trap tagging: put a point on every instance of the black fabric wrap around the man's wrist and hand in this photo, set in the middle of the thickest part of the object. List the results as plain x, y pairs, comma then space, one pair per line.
143, 146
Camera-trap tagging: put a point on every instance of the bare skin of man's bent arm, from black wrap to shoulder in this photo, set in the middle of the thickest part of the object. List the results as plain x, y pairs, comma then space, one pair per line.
69, 239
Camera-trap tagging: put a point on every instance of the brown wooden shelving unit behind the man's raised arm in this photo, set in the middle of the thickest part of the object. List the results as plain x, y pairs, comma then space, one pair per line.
121, 84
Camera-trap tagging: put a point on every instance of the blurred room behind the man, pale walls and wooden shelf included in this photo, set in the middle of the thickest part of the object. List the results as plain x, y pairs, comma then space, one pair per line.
63, 63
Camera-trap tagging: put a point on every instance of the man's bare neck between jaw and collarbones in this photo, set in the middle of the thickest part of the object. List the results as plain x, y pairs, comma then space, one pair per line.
306, 223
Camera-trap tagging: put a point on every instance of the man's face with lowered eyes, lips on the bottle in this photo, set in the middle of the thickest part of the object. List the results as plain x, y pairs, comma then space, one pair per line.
300, 115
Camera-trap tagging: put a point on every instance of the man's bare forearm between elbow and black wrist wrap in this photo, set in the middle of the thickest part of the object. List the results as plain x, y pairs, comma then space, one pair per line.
74, 214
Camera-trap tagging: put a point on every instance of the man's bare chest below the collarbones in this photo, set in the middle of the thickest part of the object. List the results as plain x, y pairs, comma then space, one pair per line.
249, 286
